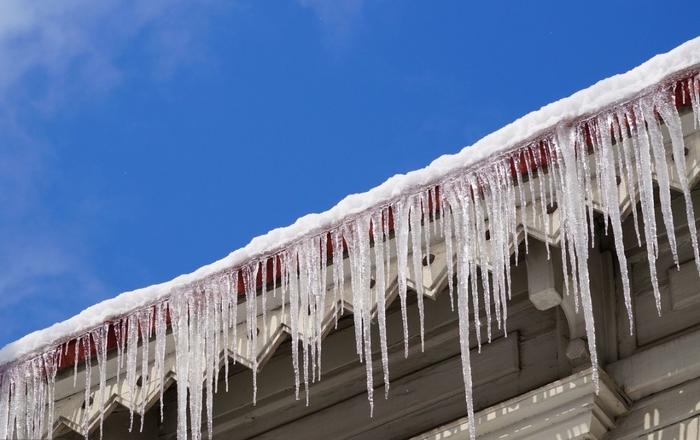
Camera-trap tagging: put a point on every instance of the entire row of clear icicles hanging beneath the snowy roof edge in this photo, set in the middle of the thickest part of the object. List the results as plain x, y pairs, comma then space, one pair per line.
625, 141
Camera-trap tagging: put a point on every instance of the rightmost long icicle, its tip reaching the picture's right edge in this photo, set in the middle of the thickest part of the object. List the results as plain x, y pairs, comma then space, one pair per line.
668, 112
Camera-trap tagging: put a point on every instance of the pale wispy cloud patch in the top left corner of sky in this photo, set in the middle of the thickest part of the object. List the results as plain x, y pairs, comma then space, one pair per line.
75, 46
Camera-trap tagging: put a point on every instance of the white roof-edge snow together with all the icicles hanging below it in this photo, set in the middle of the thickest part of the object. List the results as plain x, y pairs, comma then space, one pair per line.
617, 122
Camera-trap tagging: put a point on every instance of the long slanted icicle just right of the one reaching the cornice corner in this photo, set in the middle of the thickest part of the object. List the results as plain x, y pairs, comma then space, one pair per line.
612, 207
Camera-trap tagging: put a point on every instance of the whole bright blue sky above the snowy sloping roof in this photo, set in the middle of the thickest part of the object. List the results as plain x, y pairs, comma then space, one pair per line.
140, 140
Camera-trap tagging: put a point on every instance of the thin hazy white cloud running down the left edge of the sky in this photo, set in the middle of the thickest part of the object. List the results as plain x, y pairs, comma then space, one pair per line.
54, 53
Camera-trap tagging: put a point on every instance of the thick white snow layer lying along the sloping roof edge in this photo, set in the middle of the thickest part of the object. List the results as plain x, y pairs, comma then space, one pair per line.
604, 94
